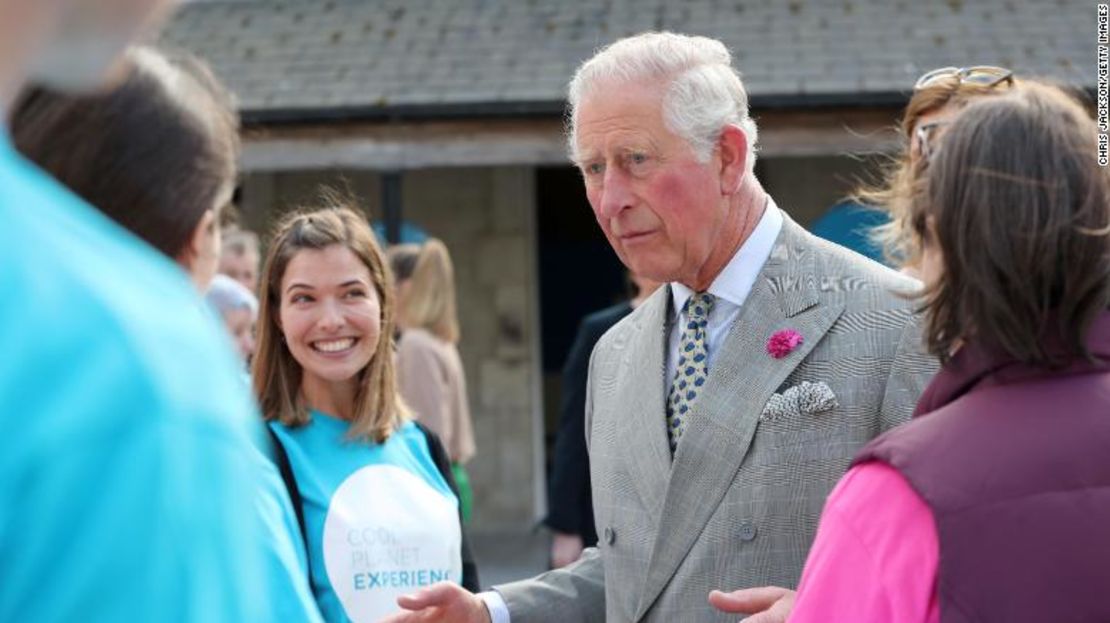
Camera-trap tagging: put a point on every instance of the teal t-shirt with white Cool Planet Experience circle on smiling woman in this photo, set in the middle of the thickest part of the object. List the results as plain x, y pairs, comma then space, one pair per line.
381, 519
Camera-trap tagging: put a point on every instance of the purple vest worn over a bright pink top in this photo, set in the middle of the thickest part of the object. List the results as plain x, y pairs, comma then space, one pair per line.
1015, 464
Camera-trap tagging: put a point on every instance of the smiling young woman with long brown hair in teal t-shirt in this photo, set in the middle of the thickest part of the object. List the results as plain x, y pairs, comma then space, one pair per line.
374, 490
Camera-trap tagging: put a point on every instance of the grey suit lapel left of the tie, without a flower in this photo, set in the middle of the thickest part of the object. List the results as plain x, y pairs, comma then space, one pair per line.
641, 388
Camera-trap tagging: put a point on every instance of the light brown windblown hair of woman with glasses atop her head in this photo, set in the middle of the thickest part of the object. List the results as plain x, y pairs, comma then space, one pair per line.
895, 192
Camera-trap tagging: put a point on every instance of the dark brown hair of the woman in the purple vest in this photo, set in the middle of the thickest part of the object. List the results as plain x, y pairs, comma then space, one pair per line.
1021, 213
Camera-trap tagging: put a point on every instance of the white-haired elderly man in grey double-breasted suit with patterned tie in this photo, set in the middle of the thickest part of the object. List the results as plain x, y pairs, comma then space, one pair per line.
723, 410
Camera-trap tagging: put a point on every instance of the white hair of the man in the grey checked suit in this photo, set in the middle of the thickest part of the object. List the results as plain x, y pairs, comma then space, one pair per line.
704, 95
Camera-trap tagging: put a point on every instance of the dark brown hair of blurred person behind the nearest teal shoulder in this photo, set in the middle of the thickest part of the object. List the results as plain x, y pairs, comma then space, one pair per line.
154, 154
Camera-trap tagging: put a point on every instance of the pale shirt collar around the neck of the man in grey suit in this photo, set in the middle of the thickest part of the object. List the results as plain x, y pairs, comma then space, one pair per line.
735, 282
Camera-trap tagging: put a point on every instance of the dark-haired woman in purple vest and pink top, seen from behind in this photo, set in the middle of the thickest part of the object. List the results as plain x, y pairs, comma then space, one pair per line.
993, 504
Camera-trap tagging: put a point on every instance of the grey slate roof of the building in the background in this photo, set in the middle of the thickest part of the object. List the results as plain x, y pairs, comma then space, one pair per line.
296, 59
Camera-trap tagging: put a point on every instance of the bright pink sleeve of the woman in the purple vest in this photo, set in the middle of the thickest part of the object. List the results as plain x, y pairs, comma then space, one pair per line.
875, 557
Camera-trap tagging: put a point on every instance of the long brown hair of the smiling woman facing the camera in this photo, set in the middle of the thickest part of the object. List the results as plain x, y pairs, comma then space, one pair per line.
379, 409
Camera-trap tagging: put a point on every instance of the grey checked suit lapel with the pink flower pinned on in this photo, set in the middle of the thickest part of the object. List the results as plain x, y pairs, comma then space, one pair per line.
742, 381
